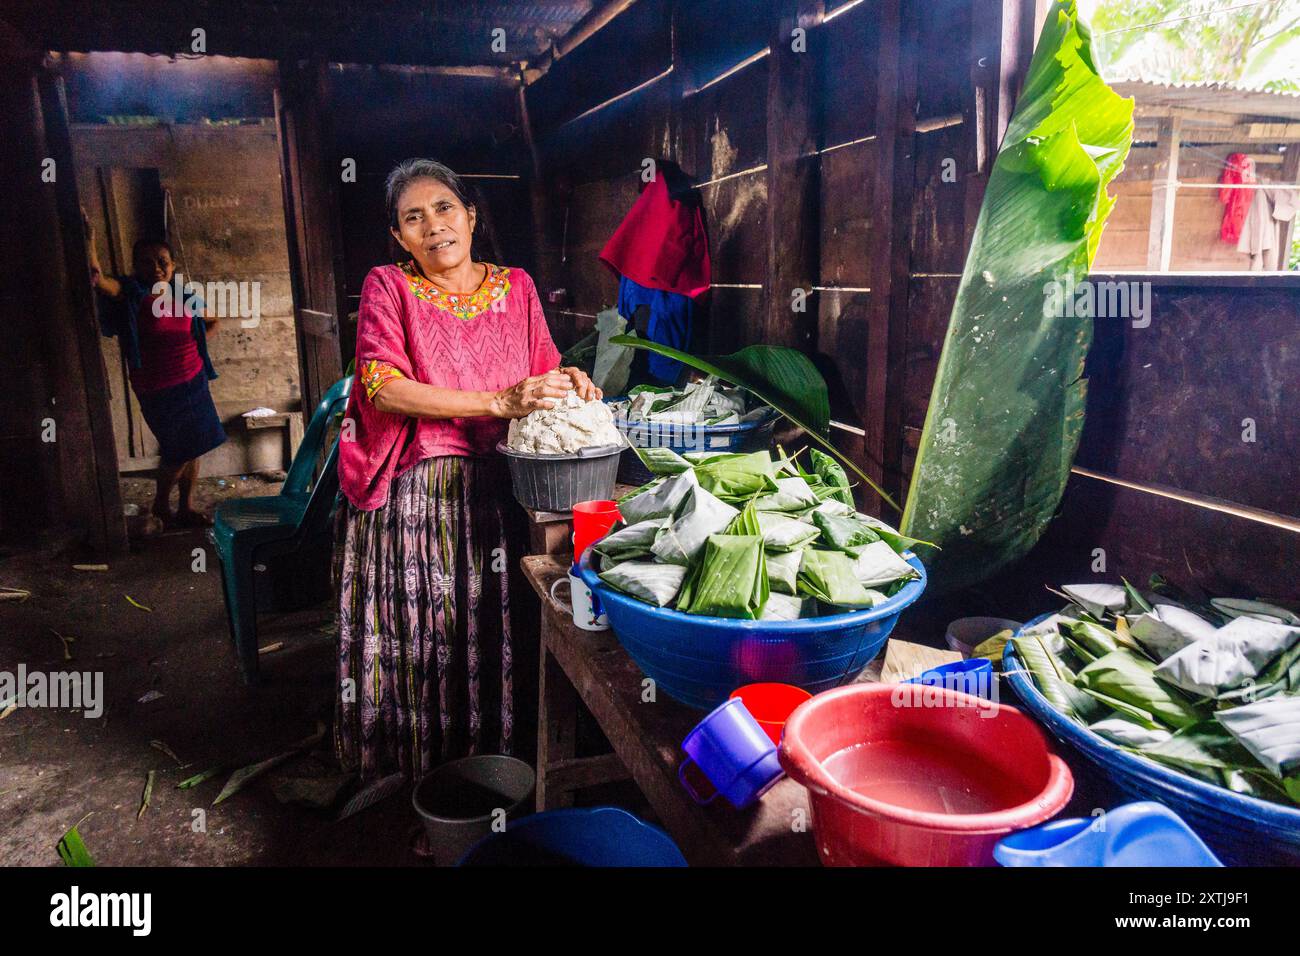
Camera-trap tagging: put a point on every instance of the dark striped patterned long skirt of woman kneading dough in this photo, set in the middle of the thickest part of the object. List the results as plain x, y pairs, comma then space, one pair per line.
426, 656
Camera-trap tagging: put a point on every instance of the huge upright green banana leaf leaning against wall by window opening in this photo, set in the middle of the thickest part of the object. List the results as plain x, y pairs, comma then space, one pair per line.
1007, 410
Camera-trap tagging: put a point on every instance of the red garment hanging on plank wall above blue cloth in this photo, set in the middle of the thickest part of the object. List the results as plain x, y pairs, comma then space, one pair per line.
661, 244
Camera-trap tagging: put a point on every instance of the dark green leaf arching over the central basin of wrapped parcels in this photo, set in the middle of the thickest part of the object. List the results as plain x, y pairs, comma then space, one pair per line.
785, 379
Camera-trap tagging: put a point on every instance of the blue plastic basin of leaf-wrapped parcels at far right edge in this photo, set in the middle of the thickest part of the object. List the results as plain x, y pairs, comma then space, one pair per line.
1242, 830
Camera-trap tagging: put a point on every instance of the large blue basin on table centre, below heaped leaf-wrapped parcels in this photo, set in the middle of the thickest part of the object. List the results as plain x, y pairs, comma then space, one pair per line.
700, 661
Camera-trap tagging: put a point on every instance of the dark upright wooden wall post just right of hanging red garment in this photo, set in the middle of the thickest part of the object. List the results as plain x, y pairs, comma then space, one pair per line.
792, 181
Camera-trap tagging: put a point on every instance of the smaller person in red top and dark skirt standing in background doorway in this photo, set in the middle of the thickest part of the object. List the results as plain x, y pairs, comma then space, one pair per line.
167, 356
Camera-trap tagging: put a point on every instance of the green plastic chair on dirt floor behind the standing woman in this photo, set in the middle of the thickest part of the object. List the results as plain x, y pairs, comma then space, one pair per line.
297, 522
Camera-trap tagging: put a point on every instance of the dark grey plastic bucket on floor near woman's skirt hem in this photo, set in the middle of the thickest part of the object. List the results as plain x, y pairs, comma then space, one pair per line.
462, 801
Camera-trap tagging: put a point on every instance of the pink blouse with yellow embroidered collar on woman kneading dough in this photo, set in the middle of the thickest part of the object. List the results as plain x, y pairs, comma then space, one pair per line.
408, 328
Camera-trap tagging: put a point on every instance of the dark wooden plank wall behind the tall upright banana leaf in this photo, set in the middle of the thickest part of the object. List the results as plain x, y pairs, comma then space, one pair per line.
904, 94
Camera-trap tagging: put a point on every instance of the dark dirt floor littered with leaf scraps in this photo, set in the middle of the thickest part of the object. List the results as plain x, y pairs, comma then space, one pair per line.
59, 769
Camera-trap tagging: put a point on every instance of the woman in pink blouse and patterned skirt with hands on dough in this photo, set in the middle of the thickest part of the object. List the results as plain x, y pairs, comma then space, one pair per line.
448, 351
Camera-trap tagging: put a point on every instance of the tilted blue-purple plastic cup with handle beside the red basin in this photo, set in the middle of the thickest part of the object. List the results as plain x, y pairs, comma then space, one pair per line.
734, 752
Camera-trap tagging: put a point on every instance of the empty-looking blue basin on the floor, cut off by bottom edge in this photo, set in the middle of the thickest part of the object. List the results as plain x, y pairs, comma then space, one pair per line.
587, 837
